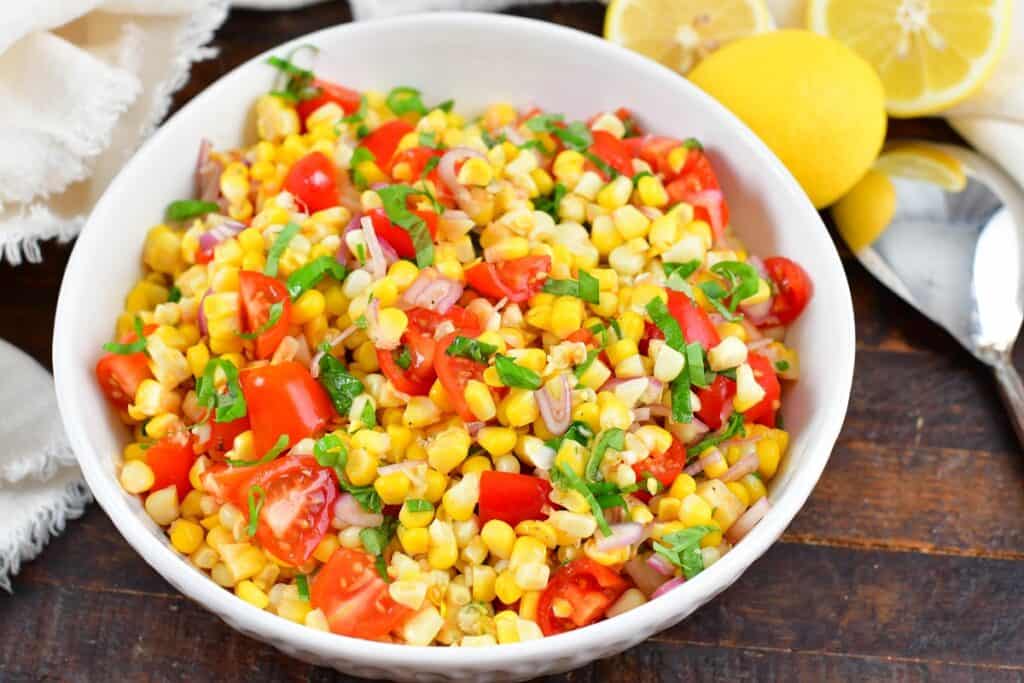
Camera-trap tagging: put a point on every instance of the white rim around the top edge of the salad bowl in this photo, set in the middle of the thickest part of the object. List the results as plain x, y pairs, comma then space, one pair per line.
598, 637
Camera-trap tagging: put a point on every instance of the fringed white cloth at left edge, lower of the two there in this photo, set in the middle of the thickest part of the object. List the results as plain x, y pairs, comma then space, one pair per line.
40, 485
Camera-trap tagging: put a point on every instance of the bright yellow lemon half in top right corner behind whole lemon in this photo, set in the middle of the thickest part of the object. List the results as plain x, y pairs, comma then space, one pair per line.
930, 54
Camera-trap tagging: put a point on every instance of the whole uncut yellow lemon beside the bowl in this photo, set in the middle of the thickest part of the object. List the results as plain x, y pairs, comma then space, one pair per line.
814, 101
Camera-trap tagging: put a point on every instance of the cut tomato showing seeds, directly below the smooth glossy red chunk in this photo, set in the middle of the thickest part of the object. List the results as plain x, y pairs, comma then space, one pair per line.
298, 504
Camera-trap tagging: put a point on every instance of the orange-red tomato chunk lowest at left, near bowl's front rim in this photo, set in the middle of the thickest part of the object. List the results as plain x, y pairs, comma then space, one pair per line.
355, 599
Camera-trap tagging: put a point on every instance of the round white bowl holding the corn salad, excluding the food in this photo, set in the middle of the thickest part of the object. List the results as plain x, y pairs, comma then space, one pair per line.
477, 59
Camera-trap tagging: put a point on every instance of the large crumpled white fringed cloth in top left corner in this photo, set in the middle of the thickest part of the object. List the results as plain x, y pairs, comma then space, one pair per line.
83, 82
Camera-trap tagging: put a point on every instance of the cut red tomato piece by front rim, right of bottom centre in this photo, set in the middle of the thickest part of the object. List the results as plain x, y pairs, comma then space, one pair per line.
589, 587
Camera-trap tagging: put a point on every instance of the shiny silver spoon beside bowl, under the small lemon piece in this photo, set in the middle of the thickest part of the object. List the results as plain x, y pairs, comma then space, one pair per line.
959, 259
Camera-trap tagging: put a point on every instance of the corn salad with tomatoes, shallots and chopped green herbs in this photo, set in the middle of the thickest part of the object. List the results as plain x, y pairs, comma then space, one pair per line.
409, 376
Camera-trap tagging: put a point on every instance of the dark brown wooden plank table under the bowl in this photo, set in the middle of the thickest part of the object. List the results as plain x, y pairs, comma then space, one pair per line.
906, 565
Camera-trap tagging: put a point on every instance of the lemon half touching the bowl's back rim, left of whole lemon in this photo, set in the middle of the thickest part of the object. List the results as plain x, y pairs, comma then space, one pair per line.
680, 33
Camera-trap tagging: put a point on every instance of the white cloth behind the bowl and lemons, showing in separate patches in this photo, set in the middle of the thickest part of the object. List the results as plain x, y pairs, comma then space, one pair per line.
993, 120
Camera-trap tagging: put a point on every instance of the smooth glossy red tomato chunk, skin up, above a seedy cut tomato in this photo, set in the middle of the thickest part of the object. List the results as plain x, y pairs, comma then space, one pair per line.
284, 400
